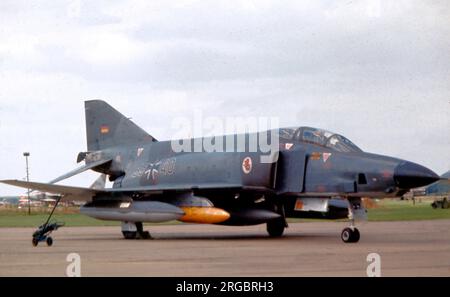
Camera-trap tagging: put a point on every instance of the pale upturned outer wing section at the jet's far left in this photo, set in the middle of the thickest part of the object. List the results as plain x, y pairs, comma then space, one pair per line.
68, 192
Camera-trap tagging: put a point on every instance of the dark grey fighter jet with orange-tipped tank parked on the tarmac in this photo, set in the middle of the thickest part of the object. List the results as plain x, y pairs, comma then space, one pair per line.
311, 173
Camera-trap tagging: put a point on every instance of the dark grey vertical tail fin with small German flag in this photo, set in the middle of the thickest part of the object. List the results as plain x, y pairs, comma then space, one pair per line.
106, 127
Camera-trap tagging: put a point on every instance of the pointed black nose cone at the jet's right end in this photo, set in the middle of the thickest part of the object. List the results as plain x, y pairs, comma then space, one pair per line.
408, 175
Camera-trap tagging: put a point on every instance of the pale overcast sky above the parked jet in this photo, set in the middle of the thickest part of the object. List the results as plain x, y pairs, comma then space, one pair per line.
375, 71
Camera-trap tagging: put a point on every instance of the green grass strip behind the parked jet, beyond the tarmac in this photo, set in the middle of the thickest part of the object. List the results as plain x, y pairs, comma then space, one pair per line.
385, 210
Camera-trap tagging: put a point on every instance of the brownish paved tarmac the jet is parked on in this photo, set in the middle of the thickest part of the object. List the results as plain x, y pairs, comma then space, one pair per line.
420, 248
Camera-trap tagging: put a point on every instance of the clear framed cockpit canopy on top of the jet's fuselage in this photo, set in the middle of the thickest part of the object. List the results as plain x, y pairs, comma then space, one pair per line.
320, 137
